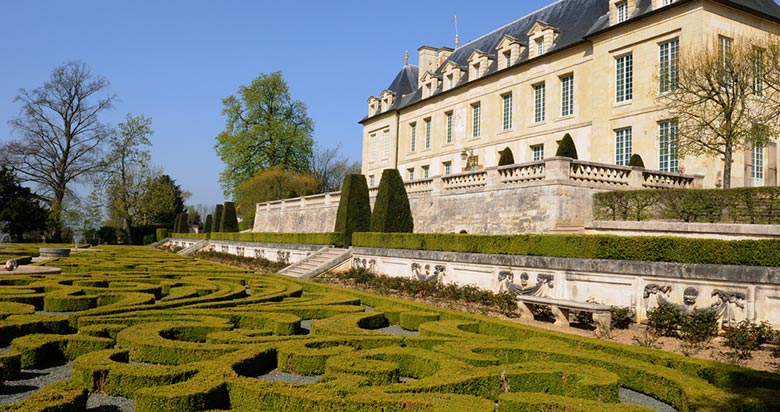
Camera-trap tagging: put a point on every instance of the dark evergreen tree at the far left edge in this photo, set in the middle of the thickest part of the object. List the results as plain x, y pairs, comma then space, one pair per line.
20, 209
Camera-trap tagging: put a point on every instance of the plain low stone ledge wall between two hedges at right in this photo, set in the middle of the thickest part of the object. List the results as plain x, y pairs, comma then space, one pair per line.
725, 231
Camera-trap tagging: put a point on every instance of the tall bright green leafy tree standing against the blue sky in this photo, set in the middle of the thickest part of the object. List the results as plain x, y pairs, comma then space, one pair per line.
265, 128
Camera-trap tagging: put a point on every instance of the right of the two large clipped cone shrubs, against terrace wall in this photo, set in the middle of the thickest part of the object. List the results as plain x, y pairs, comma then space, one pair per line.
391, 208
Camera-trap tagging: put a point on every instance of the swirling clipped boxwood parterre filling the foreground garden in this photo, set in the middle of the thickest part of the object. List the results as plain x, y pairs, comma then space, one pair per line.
177, 334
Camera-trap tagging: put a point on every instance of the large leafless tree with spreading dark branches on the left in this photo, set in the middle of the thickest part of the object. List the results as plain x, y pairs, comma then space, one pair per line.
60, 135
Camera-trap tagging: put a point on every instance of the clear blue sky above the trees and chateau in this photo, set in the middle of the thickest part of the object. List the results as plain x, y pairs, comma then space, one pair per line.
175, 61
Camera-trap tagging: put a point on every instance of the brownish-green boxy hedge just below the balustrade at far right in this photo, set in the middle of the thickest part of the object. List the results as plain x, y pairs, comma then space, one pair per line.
754, 205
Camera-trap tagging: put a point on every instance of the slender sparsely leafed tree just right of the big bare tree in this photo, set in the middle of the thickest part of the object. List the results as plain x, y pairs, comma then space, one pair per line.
128, 170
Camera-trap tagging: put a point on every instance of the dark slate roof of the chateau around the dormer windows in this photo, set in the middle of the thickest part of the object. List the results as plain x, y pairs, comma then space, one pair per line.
575, 19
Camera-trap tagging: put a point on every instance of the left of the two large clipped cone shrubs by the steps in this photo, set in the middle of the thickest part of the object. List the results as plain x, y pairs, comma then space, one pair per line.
354, 214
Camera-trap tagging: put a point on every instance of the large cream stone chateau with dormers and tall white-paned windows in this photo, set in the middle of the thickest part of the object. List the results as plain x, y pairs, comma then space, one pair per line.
590, 68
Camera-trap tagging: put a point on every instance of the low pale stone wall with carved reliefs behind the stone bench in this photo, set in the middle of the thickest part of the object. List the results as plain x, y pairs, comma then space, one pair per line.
736, 292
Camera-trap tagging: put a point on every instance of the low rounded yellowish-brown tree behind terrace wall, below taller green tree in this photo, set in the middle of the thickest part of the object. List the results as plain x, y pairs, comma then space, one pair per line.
273, 184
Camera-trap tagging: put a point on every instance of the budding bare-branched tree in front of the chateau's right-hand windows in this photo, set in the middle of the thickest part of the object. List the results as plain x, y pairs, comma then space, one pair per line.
724, 96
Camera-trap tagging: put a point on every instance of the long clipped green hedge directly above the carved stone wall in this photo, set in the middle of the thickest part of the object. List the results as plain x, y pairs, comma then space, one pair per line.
640, 248
